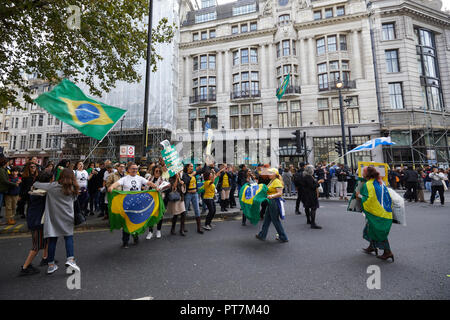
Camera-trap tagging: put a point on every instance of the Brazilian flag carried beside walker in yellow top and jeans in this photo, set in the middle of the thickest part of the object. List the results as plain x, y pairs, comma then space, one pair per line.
250, 197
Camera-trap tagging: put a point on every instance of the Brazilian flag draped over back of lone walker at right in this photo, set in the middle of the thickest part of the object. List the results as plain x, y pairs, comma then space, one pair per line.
377, 207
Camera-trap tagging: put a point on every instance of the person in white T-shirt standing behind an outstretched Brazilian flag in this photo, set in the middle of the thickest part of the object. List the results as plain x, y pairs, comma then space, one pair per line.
131, 182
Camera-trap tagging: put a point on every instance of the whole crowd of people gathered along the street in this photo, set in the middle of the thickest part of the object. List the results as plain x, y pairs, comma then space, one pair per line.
49, 197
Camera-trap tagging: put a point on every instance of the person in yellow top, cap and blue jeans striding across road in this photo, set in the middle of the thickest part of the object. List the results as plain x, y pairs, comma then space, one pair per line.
272, 215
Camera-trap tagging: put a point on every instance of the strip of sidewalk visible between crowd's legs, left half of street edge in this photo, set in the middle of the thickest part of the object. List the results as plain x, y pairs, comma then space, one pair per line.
93, 222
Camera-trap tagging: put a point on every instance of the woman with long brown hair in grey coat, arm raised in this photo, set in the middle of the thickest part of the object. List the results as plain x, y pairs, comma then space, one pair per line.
59, 216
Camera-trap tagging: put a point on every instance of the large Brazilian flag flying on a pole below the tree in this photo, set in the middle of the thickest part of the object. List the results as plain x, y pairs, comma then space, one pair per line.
70, 105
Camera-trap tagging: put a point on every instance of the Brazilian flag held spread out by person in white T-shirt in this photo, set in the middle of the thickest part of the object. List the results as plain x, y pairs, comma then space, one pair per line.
134, 211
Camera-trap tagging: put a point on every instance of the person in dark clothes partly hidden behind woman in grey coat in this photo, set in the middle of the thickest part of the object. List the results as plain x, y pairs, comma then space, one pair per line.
34, 216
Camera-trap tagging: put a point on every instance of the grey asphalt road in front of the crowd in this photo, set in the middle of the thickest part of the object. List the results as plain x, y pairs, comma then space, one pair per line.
229, 263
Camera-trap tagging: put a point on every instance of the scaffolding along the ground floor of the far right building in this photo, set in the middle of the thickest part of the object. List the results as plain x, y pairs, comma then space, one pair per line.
427, 138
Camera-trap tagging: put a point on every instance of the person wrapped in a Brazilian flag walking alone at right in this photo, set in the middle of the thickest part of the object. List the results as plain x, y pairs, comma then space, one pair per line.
377, 207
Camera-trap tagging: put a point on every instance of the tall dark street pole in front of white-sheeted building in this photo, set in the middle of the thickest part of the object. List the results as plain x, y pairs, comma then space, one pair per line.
147, 79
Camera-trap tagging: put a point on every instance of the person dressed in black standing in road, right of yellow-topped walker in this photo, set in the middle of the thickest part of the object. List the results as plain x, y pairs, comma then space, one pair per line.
310, 196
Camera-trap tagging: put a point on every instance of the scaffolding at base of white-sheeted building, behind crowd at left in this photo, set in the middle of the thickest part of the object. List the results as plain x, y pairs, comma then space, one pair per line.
78, 146
